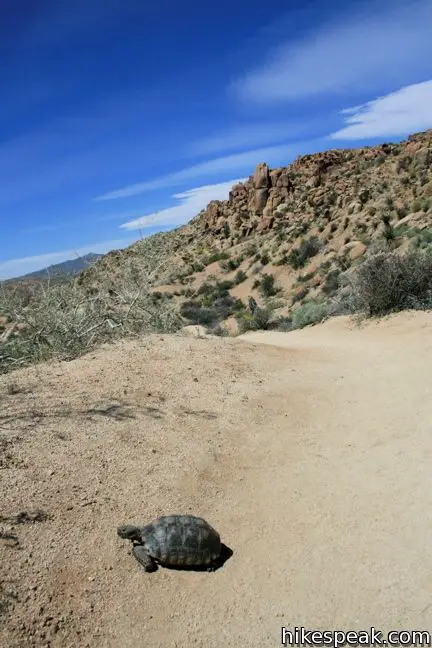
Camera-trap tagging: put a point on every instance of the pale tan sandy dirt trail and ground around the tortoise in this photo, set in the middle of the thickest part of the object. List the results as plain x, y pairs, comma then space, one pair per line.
310, 452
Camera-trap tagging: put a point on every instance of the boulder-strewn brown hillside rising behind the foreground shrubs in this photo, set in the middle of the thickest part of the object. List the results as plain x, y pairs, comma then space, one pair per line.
303, 224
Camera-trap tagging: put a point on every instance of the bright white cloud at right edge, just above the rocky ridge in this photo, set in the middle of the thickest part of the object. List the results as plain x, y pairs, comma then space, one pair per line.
403, 112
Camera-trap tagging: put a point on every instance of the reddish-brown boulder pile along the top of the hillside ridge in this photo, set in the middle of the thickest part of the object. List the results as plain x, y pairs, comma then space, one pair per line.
332, 183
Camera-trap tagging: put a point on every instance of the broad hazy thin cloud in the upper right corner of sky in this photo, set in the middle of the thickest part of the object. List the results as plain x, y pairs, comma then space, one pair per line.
388, 43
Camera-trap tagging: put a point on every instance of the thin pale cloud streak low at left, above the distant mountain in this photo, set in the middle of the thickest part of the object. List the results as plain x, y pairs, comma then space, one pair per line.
18, 267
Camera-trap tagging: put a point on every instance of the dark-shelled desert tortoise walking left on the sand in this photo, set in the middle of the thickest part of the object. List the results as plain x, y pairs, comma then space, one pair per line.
174, 540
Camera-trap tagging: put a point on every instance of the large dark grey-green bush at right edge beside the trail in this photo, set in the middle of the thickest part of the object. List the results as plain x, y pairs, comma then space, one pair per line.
388, 282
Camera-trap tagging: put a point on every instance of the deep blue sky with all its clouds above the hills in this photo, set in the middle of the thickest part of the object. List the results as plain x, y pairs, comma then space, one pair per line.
119, 118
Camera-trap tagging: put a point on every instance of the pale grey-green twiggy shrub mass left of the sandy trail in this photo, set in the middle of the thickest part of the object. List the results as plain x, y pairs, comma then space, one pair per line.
65, 321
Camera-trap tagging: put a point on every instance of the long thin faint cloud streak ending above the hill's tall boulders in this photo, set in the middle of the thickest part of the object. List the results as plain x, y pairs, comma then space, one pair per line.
230, 163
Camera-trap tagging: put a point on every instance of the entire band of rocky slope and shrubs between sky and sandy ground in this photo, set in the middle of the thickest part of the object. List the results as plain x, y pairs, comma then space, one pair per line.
283, 251
